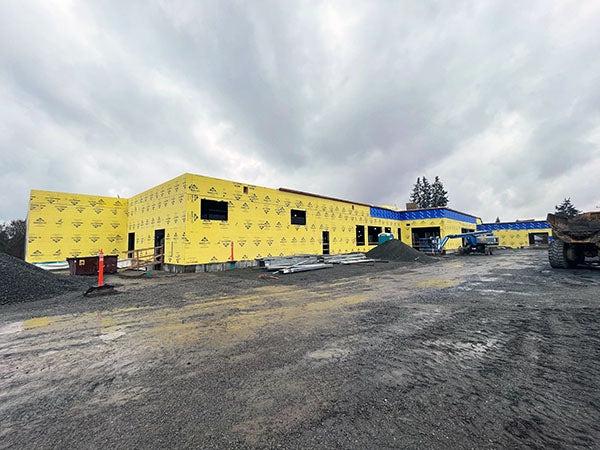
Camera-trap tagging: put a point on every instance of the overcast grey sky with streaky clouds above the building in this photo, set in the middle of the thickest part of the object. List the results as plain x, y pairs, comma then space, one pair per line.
500, 99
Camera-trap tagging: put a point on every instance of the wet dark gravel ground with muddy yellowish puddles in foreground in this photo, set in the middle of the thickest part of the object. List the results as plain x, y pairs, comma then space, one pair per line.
470, 352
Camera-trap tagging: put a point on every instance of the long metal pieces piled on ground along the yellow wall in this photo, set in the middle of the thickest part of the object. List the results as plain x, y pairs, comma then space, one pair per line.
304, 263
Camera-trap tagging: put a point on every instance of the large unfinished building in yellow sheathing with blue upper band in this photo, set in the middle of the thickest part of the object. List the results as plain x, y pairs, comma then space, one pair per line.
201, 220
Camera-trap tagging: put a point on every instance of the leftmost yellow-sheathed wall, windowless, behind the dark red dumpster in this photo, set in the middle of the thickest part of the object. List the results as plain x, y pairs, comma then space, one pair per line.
62, 225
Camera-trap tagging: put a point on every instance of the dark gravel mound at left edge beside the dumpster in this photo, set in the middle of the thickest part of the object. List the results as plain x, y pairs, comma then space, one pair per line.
22, 282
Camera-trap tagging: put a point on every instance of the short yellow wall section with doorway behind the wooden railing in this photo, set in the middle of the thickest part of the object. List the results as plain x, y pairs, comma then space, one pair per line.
161, 207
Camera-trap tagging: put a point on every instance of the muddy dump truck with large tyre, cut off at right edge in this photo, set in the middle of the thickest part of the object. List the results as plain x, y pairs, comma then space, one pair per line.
575, 239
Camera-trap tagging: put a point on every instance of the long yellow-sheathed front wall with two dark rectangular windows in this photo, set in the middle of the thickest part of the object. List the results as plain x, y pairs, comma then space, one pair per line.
259, 223
